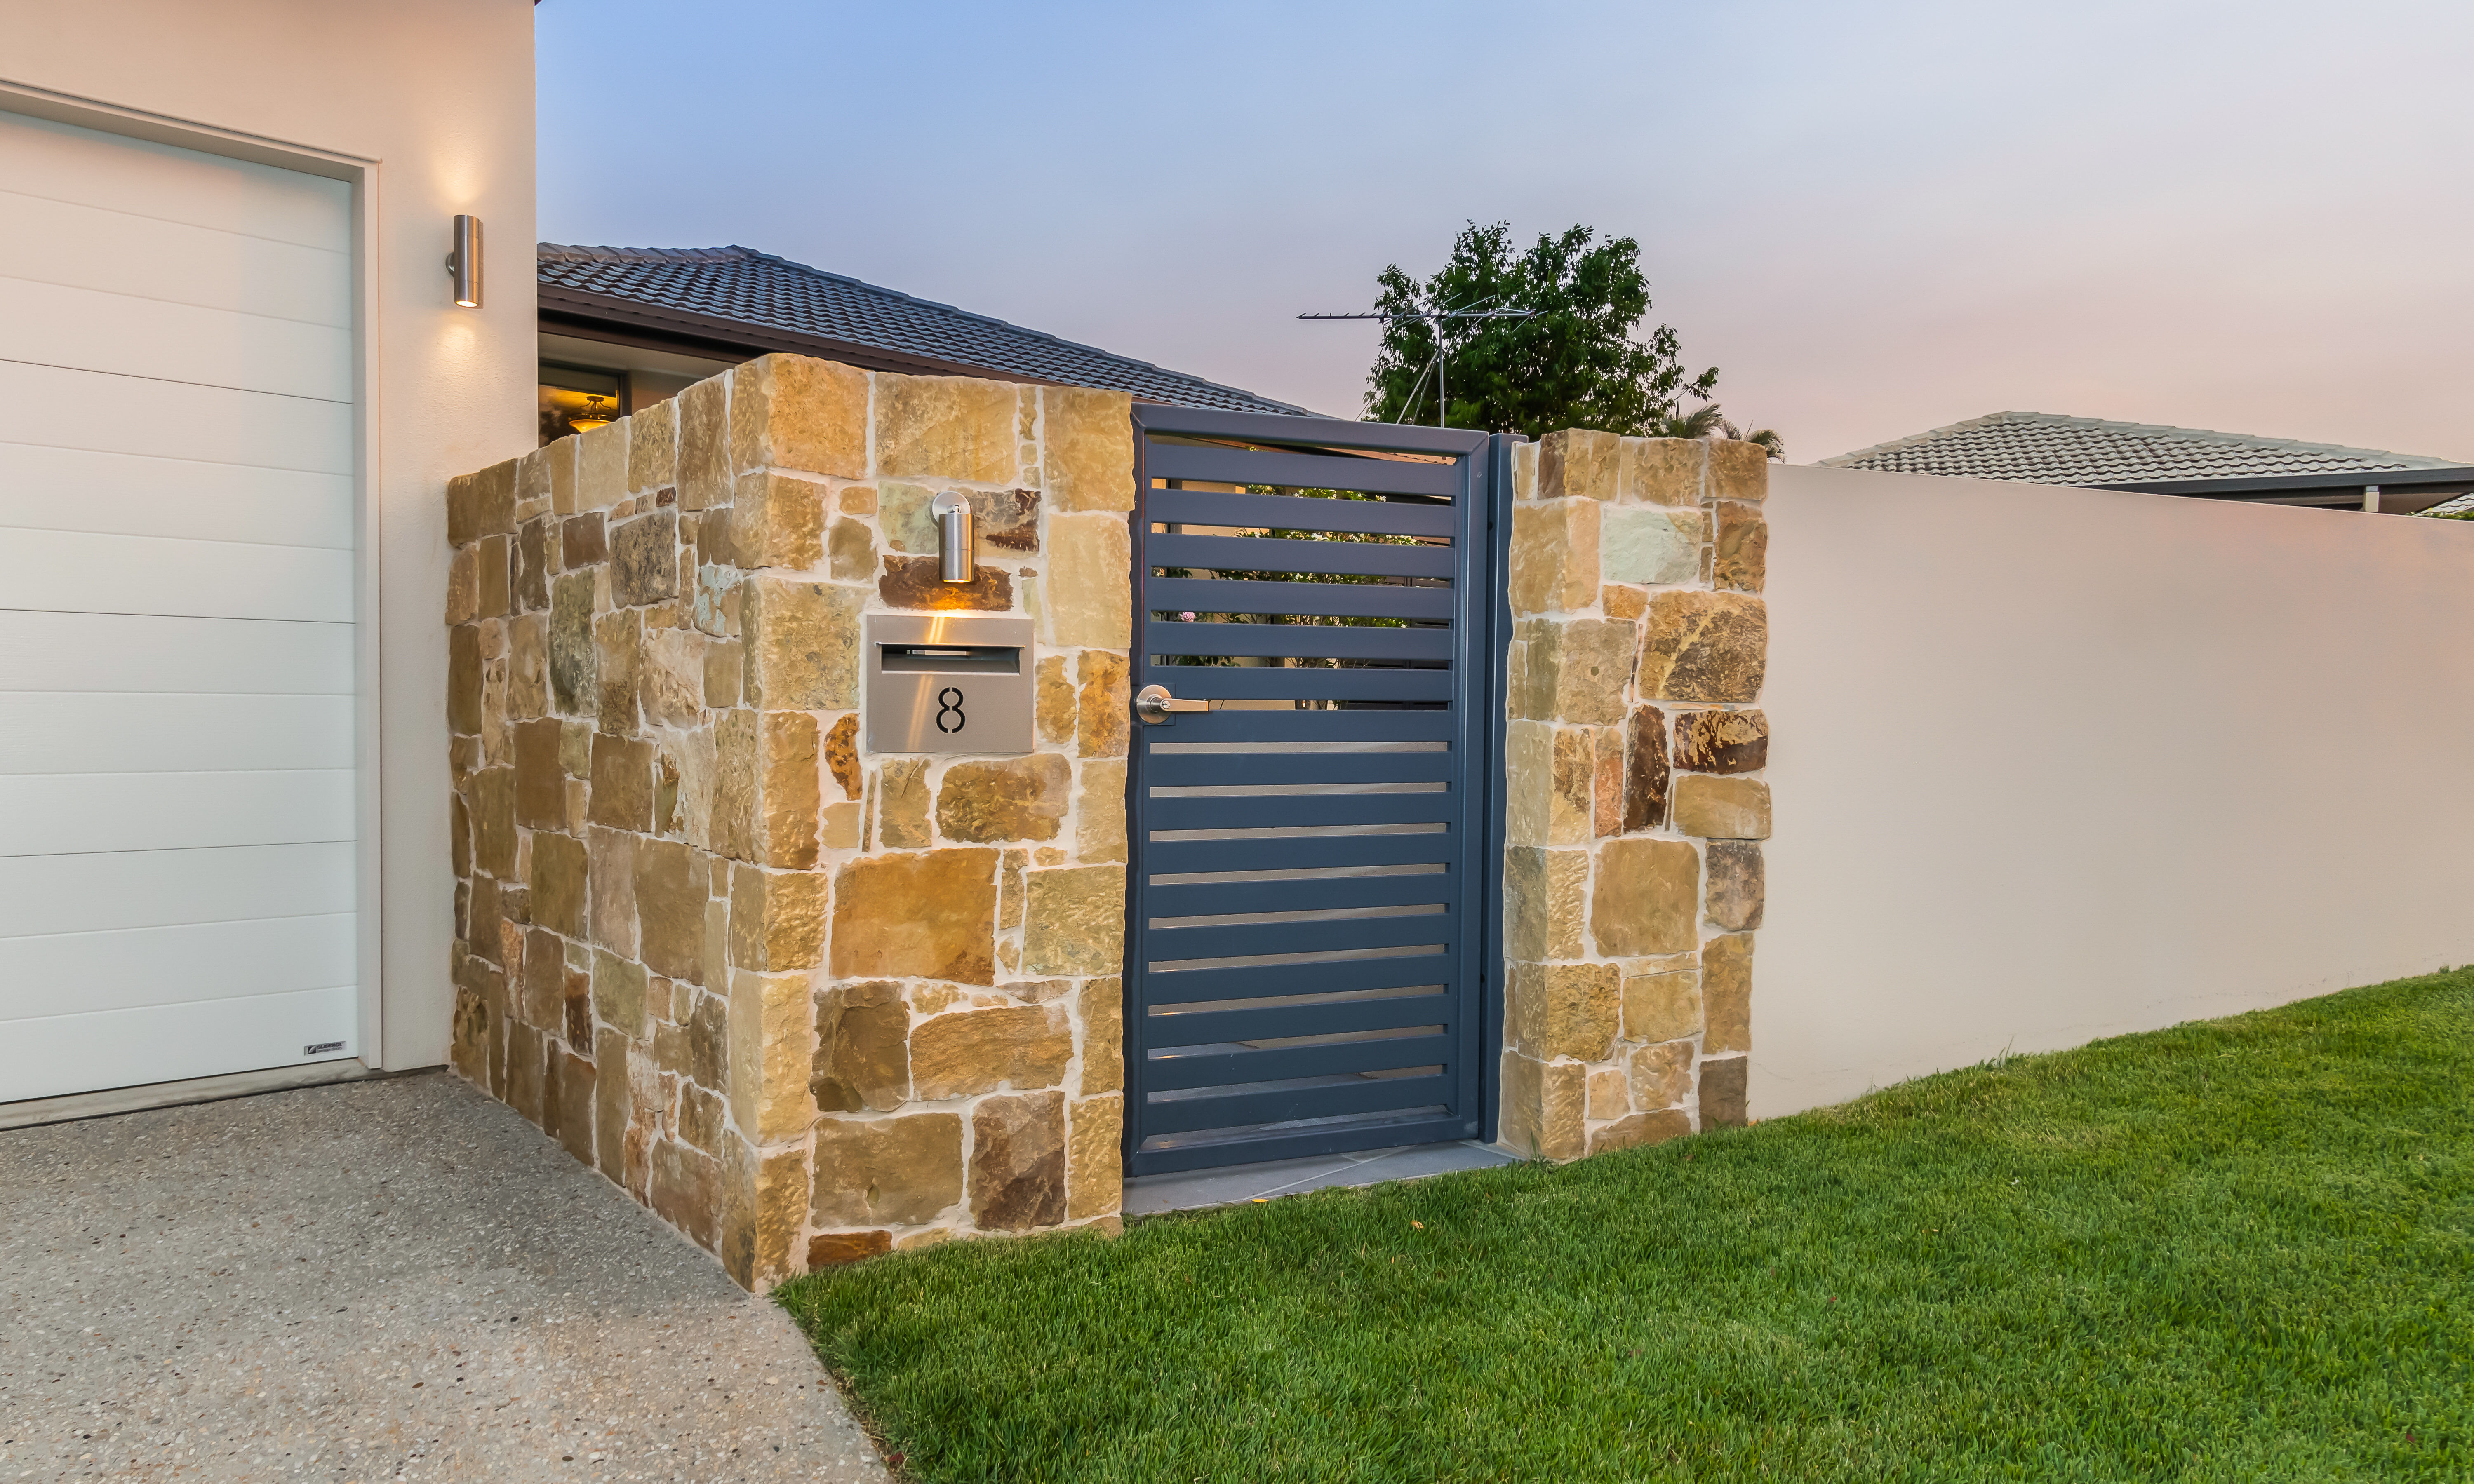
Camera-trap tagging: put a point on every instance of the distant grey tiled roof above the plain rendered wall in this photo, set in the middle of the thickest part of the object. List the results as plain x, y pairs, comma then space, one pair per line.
2050, 449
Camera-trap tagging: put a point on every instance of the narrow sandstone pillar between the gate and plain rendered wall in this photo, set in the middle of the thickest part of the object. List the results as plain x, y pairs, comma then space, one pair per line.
1634, 788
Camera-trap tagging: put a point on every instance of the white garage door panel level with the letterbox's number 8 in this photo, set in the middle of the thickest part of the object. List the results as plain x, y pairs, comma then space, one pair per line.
115, 733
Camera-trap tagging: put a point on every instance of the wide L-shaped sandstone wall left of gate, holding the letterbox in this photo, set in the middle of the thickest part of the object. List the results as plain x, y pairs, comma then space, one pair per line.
800, 1000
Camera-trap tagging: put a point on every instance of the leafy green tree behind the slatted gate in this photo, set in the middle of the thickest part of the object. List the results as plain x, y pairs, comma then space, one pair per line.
1575, 365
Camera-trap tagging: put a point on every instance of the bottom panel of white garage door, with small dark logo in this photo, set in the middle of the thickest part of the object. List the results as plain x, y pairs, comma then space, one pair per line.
174, 1043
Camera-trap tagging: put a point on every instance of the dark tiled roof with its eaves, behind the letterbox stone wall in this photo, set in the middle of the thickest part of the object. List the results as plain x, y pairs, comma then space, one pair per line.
746, 301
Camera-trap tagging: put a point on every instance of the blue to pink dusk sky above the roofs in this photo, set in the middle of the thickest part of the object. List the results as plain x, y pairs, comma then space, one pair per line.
1872, 219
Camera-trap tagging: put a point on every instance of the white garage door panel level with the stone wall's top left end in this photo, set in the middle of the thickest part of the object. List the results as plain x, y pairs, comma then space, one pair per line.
169, 419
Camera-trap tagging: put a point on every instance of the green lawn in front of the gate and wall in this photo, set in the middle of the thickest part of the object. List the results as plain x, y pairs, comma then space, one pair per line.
2233, 1250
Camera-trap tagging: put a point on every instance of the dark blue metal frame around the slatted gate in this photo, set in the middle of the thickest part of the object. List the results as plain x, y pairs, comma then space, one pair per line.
1483, 654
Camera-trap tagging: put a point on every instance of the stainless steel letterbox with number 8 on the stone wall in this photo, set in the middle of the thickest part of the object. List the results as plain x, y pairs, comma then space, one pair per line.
949, 684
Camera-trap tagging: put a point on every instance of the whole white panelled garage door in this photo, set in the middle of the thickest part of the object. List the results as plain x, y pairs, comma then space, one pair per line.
177, 615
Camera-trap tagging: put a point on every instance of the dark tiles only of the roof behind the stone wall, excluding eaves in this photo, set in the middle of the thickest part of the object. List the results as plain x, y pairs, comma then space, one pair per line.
776, 293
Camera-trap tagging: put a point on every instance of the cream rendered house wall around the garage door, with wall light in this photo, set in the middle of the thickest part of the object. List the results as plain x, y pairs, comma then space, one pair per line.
442, 98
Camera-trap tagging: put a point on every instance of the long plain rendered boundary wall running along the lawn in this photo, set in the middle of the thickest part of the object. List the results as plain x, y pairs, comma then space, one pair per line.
2055, 765
